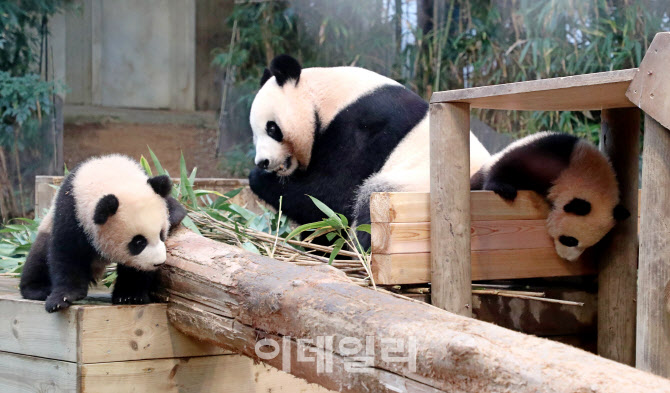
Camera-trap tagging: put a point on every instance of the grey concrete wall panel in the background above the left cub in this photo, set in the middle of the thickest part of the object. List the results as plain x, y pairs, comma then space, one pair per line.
128, 53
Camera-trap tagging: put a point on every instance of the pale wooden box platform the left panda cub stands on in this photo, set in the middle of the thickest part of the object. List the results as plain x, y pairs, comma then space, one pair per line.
97, 347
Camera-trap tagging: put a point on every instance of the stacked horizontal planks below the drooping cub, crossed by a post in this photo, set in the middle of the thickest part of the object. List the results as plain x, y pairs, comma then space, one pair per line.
508, 240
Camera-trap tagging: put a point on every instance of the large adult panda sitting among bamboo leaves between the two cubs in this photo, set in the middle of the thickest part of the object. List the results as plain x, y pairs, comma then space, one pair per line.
338, 134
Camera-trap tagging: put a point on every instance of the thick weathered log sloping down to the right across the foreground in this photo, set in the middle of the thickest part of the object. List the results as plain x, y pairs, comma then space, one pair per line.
241, 301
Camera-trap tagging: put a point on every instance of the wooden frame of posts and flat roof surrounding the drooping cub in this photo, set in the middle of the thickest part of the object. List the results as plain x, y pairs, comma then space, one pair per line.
618, 95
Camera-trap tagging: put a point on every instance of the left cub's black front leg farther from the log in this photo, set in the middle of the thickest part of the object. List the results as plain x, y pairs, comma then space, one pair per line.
70, 277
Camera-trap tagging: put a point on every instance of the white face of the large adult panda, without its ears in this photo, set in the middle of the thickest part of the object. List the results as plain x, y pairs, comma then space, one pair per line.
282, 120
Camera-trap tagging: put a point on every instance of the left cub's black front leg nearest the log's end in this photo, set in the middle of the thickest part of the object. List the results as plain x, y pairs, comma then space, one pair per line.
132, 285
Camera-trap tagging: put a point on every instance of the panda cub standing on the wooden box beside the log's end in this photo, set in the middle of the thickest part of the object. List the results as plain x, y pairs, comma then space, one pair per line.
107, 210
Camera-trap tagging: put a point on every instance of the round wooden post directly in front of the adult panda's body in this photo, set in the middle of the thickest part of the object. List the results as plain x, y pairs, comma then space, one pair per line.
450, 207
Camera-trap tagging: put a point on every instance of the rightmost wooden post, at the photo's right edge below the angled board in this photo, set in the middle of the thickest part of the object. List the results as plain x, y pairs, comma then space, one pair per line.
653, 311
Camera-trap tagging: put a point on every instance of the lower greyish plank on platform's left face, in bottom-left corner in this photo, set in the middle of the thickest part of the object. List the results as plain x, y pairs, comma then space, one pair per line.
23, 374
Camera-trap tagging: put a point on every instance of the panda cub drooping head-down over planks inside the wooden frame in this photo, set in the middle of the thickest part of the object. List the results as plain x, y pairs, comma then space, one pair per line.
572, 174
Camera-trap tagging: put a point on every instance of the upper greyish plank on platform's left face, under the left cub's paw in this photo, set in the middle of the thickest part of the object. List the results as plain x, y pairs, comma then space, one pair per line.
30, 330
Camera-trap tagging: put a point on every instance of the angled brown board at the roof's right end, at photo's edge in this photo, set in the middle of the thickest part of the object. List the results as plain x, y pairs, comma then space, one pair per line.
650, 89
